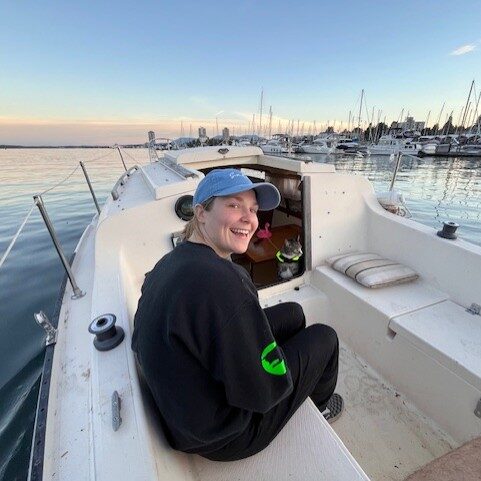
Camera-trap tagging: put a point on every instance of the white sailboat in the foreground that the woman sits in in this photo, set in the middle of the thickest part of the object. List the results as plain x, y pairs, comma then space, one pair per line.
410, 369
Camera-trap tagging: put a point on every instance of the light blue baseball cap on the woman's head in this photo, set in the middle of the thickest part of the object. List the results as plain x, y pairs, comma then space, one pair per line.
220, 182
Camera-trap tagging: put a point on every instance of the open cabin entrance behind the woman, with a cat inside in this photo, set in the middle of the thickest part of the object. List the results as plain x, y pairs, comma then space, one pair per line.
276, 251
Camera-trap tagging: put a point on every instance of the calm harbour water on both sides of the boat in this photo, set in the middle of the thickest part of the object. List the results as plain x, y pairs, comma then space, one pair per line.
435, 189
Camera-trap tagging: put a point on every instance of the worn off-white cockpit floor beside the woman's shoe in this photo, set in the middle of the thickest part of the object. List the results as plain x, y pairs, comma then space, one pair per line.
385, 433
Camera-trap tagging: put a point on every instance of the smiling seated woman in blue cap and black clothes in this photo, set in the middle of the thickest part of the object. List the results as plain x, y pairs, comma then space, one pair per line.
226, 374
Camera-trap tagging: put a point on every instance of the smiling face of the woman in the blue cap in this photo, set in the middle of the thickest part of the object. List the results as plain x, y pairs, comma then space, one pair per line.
230, 224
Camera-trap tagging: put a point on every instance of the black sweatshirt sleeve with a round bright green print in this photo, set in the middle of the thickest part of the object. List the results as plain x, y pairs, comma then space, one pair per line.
247, 360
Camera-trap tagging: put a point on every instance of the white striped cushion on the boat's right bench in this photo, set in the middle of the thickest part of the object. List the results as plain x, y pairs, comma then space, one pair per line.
372, 270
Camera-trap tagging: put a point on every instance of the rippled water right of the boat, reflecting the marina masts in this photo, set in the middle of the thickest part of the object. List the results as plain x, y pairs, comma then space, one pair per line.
436, 189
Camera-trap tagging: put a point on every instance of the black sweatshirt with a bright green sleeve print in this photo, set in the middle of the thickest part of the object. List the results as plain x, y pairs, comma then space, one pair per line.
206, 349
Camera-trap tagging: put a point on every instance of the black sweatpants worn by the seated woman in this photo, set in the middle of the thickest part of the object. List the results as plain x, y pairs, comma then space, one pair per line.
312, 357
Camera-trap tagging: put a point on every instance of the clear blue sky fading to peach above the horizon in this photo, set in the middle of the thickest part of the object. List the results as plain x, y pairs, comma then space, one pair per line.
105, 72
